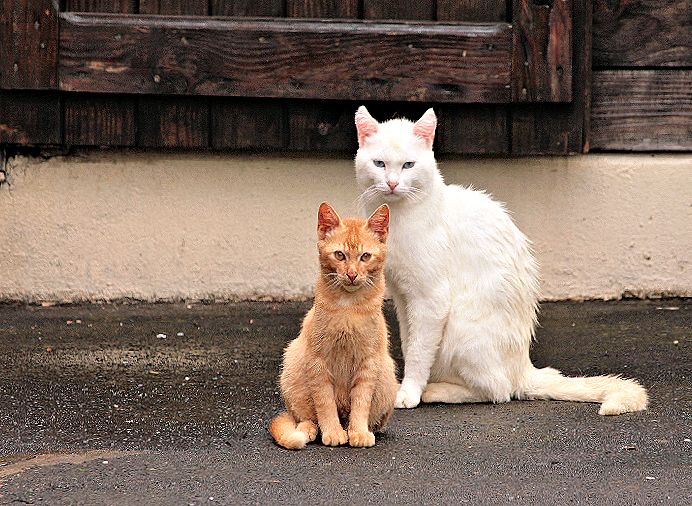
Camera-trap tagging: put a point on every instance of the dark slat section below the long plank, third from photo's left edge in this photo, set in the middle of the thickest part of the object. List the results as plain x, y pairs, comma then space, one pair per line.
173, 122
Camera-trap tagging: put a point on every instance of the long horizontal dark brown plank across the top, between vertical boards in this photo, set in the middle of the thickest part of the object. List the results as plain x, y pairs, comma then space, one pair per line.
464, 63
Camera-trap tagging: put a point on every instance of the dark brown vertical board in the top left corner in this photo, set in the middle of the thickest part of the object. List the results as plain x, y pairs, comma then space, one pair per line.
28, 44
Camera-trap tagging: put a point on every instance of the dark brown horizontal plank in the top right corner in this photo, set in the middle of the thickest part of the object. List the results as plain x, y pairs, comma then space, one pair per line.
632, 33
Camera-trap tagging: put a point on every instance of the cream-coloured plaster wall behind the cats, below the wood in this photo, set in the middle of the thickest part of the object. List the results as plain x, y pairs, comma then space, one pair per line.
167, 226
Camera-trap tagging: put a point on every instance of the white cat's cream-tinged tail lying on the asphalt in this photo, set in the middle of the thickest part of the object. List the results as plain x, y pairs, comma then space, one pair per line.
617, 395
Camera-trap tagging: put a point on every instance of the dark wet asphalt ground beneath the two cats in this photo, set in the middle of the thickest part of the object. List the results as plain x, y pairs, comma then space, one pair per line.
98, 407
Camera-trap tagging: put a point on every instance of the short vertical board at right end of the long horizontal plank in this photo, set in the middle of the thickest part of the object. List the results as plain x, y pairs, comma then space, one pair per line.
542, 58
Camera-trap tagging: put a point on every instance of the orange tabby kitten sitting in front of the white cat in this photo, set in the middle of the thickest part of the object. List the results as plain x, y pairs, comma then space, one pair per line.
339, 371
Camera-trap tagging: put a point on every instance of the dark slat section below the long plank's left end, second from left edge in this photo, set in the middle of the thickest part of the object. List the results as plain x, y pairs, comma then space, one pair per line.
99, 120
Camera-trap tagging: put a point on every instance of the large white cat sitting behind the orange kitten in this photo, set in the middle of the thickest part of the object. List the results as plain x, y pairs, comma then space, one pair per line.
464, 282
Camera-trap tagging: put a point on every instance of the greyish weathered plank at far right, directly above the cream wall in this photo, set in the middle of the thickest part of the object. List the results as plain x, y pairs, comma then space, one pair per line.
642, 110
